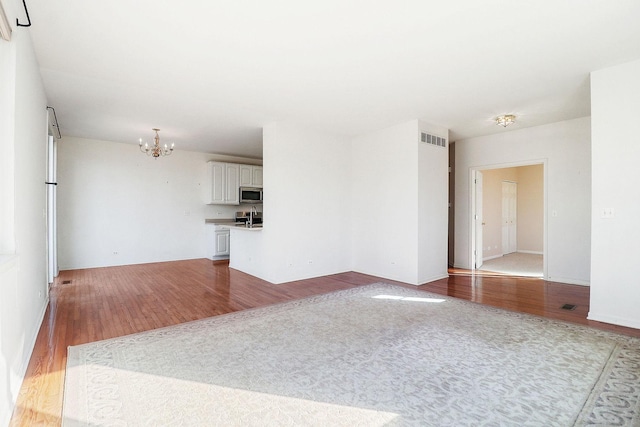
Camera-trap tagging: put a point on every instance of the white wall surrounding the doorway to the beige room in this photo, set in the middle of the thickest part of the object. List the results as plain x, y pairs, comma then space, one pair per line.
566, 149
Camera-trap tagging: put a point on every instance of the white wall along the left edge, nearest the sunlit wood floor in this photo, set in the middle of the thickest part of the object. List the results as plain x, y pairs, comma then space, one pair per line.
23, 280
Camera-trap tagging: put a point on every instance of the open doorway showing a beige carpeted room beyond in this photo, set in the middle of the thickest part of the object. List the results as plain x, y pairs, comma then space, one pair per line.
508, 219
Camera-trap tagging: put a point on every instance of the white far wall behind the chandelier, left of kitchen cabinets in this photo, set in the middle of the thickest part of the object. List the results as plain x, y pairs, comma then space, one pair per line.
116, 206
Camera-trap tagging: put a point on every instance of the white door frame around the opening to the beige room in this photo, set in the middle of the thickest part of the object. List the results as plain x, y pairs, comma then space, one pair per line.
472, 204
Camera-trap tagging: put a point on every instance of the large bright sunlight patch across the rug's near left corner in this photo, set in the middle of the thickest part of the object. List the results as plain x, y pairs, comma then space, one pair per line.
163, 399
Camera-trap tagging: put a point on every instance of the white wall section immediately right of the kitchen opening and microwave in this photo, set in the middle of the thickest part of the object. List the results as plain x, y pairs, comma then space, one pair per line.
307, 179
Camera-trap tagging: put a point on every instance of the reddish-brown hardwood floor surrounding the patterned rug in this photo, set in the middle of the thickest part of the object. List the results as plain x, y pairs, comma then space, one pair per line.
95, 304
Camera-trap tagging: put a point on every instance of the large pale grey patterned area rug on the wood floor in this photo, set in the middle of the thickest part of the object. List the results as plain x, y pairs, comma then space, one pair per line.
378, 355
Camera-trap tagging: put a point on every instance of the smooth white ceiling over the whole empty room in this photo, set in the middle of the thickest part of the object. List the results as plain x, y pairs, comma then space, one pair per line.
210, 74
